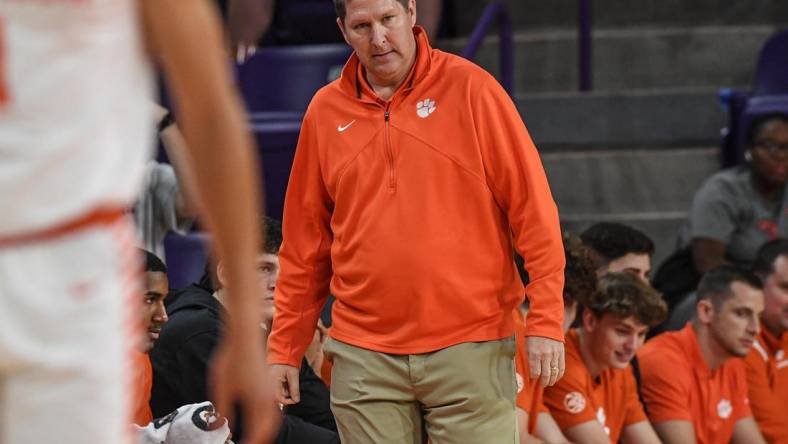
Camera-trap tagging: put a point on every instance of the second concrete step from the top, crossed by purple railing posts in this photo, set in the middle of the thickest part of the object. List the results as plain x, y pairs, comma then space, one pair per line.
631, 58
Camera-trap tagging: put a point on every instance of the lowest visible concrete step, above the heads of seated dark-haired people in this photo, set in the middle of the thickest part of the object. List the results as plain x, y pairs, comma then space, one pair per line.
650, 189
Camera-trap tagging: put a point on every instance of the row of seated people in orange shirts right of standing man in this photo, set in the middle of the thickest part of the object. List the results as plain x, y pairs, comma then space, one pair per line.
694, 384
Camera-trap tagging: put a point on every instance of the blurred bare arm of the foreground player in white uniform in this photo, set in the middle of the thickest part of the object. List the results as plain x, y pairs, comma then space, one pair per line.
185, 36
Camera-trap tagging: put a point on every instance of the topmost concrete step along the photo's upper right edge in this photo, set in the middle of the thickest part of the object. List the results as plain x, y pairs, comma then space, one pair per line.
534, 14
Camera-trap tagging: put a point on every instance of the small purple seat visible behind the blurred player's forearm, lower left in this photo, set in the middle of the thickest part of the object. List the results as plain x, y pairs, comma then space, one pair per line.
186, 257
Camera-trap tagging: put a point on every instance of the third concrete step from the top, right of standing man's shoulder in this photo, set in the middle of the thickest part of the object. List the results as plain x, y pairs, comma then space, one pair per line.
647, 119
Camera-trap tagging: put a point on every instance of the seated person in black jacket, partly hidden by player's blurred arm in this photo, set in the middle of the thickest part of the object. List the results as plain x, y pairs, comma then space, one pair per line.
182, 355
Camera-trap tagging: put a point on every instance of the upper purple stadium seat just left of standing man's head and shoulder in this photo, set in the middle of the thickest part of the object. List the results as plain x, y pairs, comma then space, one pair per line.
285, 78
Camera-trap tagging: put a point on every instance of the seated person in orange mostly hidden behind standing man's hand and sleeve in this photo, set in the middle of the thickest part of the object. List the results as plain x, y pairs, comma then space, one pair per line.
533, 418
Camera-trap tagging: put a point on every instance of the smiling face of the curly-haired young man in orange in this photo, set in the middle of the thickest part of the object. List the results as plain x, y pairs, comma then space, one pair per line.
613, 340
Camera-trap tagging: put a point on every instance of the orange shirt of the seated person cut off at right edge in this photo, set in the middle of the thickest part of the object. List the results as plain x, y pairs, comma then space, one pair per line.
767, 379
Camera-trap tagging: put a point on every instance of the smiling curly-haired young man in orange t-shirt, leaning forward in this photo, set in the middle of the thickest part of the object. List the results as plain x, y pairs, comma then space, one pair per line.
597, 399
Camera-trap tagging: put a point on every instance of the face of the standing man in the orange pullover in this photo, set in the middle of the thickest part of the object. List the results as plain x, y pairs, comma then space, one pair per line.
381, 33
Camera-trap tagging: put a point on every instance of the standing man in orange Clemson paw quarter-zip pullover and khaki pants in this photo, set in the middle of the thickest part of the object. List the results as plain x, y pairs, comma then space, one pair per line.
414, 181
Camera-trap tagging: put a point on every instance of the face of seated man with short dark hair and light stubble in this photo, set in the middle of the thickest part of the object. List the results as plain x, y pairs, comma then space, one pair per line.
734, 325
